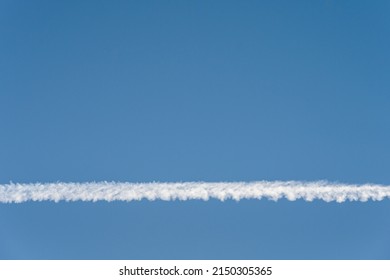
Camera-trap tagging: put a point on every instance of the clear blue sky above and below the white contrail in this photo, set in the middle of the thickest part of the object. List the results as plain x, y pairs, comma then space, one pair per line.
145, 91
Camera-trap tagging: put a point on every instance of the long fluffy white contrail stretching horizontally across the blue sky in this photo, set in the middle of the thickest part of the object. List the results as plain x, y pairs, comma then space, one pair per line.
113, 191
